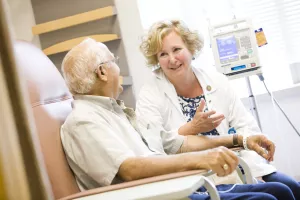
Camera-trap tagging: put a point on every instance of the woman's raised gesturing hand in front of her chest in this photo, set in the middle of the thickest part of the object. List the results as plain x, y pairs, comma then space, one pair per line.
205, 121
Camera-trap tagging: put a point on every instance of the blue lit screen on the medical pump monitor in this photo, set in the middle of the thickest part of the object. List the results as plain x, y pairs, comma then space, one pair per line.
227, 49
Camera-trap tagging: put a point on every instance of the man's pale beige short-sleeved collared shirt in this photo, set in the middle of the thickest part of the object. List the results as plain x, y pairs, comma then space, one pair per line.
98, 137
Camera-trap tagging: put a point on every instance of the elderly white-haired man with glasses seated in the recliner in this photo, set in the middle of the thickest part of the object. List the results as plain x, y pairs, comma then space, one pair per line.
104, 144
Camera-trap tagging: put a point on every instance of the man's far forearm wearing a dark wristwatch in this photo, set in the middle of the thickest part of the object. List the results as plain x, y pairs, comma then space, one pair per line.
199, 143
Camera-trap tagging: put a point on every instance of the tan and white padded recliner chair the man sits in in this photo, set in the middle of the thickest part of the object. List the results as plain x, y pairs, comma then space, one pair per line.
51, 103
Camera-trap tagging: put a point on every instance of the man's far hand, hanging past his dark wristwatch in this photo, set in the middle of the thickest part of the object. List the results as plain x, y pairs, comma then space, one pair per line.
261, 145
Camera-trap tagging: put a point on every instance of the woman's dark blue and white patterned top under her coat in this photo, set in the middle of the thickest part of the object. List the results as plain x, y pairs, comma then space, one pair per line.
189, 107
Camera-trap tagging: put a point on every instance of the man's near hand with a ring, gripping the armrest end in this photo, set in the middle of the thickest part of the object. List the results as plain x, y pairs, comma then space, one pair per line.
218, 158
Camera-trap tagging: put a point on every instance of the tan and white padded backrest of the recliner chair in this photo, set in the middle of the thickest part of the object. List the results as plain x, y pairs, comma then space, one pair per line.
51, 103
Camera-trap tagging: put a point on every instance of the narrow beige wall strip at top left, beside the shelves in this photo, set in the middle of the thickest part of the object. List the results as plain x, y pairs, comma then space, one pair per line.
22, 19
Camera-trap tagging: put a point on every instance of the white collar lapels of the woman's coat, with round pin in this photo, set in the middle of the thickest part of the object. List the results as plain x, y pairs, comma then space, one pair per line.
169, 90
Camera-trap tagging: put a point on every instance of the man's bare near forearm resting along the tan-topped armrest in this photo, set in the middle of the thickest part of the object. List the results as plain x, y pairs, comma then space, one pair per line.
144, 167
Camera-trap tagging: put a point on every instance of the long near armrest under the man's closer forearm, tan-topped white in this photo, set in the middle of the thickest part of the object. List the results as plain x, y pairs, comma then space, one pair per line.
168, 186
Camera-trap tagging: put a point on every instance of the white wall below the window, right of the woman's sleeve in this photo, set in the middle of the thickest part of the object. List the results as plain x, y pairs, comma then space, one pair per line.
287, 158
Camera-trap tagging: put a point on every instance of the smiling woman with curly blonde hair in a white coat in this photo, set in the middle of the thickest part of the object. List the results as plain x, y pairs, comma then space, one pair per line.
183, 99
